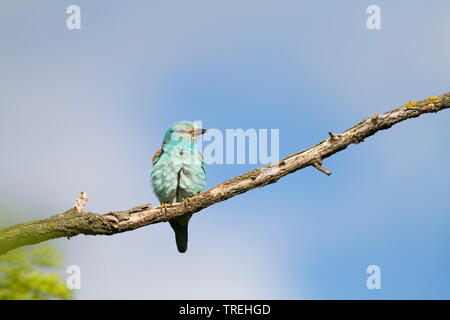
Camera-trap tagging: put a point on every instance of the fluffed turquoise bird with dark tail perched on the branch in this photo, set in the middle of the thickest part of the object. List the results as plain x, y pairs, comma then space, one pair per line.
178, 173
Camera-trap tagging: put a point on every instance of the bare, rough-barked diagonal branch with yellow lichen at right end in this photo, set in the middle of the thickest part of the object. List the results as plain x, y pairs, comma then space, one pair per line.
74, 222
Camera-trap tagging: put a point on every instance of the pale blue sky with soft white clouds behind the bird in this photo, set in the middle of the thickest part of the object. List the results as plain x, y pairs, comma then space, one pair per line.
85, 110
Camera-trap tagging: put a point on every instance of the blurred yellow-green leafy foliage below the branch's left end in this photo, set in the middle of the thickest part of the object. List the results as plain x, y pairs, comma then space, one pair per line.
23, 275
